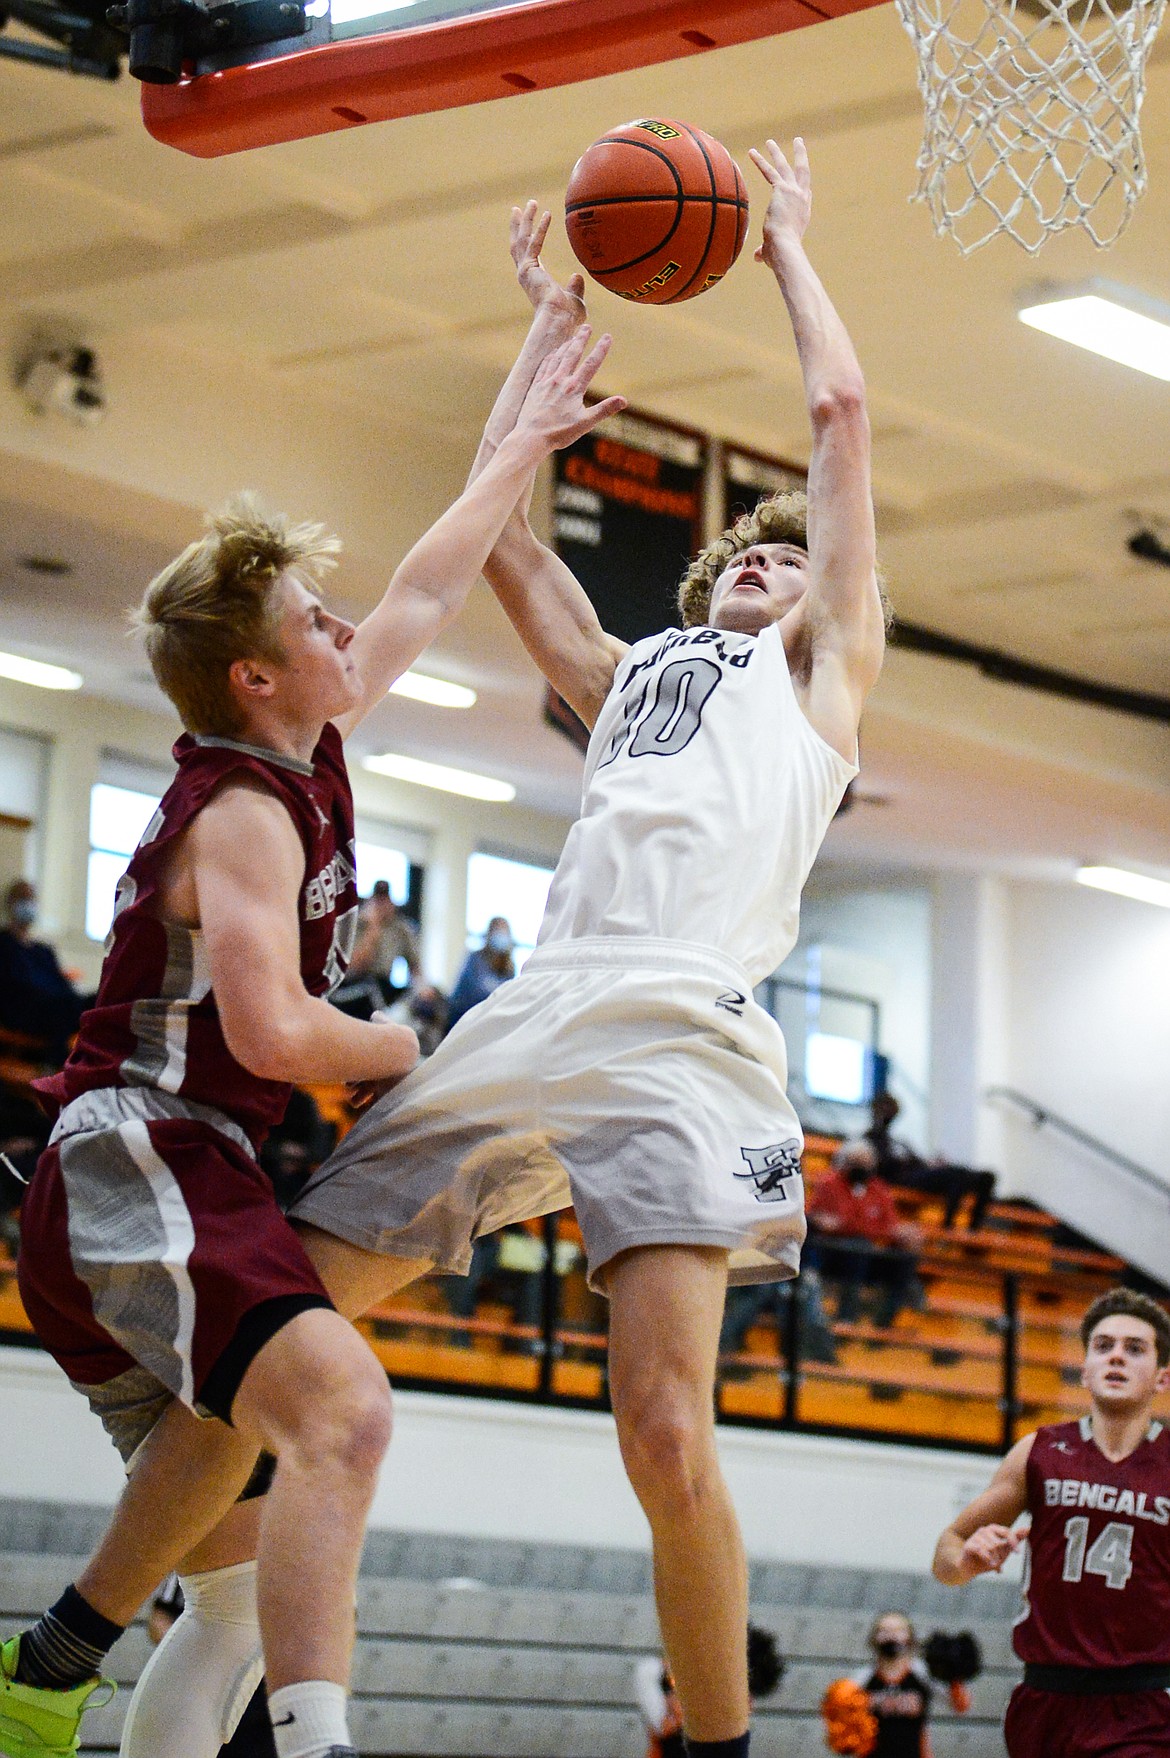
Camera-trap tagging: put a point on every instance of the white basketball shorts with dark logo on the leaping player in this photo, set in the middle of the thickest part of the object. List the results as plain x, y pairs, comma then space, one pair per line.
635, 1079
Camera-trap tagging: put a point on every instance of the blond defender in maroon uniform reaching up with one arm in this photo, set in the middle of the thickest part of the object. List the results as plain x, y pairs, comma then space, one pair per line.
155, 1263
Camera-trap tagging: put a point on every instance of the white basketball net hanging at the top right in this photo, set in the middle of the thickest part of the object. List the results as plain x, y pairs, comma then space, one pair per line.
1032, 115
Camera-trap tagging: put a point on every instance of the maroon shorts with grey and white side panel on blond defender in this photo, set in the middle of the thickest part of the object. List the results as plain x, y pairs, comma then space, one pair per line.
154, 1258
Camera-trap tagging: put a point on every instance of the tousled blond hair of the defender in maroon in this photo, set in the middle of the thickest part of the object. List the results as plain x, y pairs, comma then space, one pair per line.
220, 602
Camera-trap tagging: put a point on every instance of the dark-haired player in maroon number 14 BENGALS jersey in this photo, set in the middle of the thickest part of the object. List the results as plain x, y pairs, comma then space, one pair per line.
1095, 1625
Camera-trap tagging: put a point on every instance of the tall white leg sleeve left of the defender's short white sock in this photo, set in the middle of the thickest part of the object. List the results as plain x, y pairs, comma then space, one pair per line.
203, 1674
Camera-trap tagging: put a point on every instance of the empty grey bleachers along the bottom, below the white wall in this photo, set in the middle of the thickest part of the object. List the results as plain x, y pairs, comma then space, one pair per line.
475, 1648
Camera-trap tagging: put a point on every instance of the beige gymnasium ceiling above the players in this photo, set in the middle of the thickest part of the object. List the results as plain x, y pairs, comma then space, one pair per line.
329, 321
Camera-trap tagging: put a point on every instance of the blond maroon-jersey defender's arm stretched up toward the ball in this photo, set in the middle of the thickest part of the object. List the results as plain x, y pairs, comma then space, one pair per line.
431, 585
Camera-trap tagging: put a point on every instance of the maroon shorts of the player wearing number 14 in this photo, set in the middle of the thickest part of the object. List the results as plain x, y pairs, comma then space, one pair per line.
1055, 1725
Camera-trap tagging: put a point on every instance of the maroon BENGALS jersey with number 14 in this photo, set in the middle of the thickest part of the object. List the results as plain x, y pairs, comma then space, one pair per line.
1097, 1590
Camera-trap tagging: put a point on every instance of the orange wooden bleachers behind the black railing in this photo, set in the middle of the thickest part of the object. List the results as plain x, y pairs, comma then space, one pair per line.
986, 1351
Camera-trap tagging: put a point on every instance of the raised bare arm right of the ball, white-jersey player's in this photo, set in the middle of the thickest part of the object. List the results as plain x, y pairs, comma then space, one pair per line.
844, 606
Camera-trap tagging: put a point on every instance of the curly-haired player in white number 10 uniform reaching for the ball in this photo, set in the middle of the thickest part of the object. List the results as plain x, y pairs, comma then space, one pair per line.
628, 1066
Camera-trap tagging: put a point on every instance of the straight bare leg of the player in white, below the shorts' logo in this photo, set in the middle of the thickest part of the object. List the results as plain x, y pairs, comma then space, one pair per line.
667, 1307
